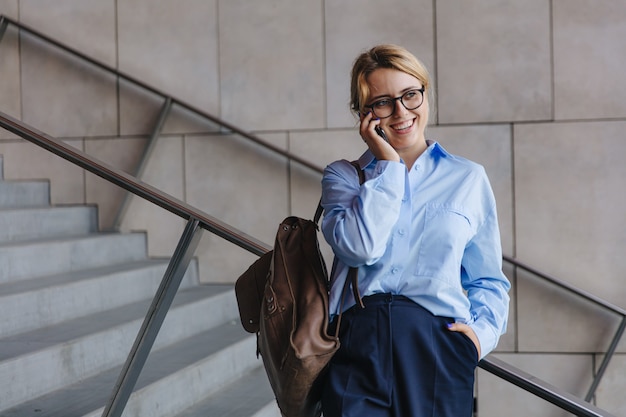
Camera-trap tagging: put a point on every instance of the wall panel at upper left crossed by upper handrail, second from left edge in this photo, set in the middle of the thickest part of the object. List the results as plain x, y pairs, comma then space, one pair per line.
60, 95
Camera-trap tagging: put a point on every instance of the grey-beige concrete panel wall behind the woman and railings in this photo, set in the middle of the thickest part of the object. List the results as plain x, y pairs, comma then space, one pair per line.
533, 90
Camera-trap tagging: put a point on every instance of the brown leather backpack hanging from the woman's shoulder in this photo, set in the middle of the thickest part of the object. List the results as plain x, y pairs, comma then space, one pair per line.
283, 297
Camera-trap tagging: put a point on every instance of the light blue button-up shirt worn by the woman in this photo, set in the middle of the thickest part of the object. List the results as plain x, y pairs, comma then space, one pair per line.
430, 234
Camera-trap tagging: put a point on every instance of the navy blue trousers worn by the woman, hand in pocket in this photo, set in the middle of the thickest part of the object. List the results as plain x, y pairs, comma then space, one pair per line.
398, 360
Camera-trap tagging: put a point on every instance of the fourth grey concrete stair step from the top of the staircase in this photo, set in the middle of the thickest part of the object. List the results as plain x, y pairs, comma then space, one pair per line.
30, 304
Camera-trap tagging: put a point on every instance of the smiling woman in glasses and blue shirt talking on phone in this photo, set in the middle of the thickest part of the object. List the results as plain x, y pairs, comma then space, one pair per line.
423, 231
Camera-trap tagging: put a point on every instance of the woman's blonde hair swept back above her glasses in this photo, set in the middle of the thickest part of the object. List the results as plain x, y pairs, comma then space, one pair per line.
383, 56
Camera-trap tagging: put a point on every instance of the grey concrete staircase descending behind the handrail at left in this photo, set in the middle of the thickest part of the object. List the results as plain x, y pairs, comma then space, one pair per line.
71, 303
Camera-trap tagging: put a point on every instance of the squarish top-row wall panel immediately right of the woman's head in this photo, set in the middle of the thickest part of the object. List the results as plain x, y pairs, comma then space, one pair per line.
493, 61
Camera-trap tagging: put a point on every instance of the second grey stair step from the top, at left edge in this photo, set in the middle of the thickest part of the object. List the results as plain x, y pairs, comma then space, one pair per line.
45, 222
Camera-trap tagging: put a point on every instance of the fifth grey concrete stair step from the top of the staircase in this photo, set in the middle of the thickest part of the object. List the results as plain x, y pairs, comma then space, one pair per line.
38, 362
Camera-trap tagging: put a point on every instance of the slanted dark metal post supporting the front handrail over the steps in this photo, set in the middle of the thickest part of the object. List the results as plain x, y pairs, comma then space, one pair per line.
154, 319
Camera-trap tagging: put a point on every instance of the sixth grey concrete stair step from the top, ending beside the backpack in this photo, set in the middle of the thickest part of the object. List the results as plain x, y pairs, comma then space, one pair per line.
171, 376
